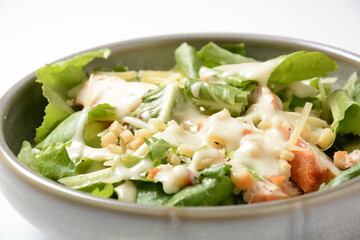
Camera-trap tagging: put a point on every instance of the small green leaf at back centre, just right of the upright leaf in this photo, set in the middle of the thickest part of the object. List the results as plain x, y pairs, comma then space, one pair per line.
212, 55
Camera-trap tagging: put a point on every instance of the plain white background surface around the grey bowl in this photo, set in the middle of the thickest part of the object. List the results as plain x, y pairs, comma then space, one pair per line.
36, 32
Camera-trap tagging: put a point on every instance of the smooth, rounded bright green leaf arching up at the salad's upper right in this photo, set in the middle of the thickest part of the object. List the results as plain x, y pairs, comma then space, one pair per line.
302, 65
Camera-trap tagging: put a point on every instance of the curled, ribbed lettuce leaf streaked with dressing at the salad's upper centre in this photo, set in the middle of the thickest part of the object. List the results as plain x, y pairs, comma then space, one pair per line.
215, 97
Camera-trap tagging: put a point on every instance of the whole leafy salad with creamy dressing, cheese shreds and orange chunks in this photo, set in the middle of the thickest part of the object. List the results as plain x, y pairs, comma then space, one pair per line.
219, 128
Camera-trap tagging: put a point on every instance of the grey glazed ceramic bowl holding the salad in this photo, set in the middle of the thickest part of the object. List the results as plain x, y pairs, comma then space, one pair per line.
67, 214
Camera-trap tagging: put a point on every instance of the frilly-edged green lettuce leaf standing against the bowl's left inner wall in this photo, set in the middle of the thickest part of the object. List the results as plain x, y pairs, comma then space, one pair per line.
57, 80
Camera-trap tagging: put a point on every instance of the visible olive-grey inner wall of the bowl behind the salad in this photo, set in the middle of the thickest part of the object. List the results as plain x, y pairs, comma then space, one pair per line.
23, 106
